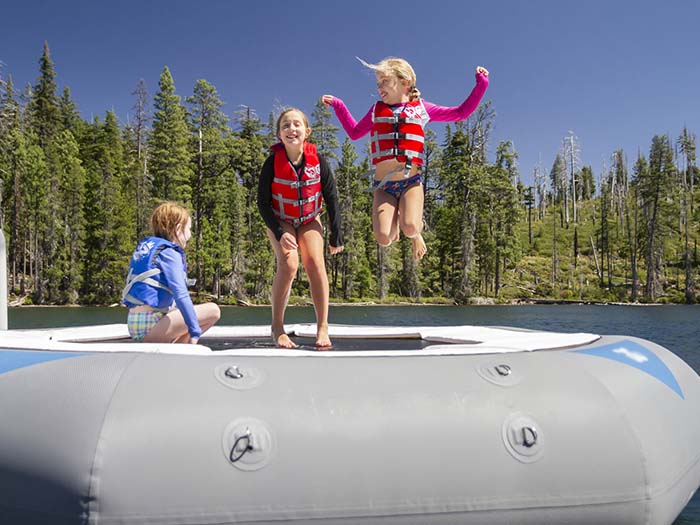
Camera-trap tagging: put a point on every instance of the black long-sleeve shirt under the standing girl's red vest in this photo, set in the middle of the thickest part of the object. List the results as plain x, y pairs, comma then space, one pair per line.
328, 189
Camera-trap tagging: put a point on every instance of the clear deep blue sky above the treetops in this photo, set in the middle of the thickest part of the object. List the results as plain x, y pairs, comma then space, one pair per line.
614, 72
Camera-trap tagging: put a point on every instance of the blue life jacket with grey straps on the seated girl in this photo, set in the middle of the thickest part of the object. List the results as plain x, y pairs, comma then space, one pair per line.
145, 280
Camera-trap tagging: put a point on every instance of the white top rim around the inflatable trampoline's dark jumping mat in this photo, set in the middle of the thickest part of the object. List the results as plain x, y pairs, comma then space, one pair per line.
462, 340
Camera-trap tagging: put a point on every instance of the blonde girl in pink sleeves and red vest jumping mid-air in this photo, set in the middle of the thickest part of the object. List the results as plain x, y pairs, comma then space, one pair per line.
397, 124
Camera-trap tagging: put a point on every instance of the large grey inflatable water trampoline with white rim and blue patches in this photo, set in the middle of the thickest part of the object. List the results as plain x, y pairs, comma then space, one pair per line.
395, 425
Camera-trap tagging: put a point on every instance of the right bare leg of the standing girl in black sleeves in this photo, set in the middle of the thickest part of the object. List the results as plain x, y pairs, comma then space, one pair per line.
310, 238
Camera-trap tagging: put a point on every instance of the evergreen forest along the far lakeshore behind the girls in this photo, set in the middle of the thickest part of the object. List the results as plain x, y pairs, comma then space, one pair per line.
77, 195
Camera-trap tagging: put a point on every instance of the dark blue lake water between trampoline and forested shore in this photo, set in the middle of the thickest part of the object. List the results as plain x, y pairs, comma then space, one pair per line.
675, 327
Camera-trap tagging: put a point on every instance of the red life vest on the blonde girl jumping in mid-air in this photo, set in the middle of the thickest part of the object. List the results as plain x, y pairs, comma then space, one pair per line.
398, 135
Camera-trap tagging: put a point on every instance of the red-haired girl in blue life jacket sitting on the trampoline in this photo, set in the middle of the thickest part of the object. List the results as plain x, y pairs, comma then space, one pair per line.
158, 278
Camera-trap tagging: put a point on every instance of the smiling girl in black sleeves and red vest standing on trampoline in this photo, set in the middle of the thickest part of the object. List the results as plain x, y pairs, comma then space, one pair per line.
292, 182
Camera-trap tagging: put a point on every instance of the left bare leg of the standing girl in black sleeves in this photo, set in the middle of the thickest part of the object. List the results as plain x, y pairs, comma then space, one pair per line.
287, 265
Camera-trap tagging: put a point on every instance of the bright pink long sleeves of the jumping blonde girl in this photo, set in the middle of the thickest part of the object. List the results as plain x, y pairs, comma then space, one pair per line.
356, 130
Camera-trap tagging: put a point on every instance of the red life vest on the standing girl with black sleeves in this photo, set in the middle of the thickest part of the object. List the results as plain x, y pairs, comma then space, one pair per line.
296, 198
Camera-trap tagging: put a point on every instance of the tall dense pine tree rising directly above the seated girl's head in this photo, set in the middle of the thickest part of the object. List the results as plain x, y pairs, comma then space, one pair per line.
168, 146
